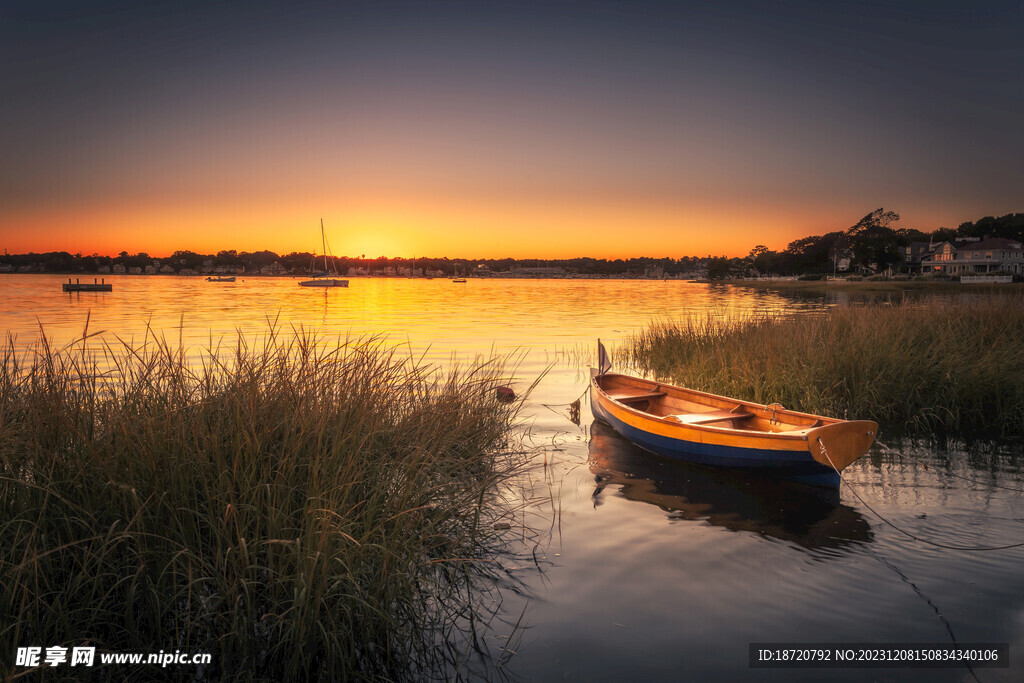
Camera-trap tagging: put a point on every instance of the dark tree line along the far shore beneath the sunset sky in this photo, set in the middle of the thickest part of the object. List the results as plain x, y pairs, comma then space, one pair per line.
872, 244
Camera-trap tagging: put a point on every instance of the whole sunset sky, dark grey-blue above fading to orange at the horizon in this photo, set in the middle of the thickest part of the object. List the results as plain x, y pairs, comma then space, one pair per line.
484, 130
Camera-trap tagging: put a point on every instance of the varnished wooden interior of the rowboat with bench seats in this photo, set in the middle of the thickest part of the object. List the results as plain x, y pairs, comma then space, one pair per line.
697, 408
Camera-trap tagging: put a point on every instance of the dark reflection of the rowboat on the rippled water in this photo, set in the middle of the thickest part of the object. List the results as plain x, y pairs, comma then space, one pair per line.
810, 518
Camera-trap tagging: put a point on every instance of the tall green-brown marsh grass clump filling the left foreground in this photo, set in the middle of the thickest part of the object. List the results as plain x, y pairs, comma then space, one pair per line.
297, 511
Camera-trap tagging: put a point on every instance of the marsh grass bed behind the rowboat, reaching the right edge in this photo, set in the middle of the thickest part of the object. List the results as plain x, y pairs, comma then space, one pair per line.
917, 368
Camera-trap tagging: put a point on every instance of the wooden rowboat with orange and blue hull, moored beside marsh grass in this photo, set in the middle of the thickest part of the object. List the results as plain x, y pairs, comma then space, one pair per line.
715, 431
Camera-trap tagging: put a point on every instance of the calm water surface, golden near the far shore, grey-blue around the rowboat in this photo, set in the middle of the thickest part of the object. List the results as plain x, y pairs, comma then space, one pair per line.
645, 570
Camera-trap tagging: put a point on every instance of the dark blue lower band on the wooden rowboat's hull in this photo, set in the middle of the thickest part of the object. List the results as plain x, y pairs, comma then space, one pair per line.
792, 465
